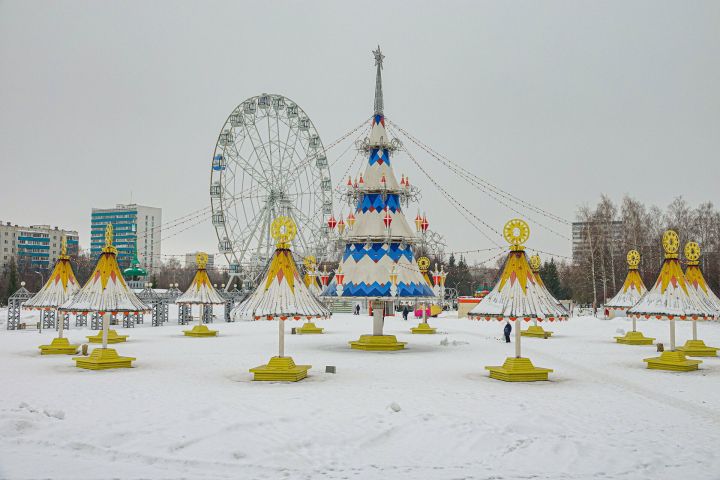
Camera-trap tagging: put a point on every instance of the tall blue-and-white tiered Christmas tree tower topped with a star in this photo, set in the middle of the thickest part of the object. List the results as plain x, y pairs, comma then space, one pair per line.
378, 263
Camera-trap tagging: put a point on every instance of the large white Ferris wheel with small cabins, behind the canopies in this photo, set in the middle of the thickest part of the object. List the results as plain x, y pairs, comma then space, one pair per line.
268, 161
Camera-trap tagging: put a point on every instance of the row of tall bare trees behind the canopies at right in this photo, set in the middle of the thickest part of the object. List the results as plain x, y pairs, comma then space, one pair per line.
608, 231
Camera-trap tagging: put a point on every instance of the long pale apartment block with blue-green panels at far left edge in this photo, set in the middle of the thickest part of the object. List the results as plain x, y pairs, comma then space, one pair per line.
36, 246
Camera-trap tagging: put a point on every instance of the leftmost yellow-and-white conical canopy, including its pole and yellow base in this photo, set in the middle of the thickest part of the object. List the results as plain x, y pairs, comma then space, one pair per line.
60, 287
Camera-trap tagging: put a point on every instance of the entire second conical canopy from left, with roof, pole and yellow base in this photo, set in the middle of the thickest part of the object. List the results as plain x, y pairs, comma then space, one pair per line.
107, 294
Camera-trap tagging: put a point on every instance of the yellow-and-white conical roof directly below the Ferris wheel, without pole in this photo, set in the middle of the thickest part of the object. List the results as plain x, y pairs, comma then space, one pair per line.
281, 294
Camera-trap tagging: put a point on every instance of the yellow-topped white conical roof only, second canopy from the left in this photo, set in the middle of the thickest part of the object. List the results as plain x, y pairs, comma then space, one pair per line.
105, 290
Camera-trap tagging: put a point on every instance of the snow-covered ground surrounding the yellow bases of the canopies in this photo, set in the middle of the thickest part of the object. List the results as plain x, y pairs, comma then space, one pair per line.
190, 410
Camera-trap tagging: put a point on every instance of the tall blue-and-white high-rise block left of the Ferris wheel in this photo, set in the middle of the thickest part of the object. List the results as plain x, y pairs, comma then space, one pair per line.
134, 226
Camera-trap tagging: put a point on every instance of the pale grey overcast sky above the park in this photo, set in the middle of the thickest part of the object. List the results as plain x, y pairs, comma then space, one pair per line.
556, 102
